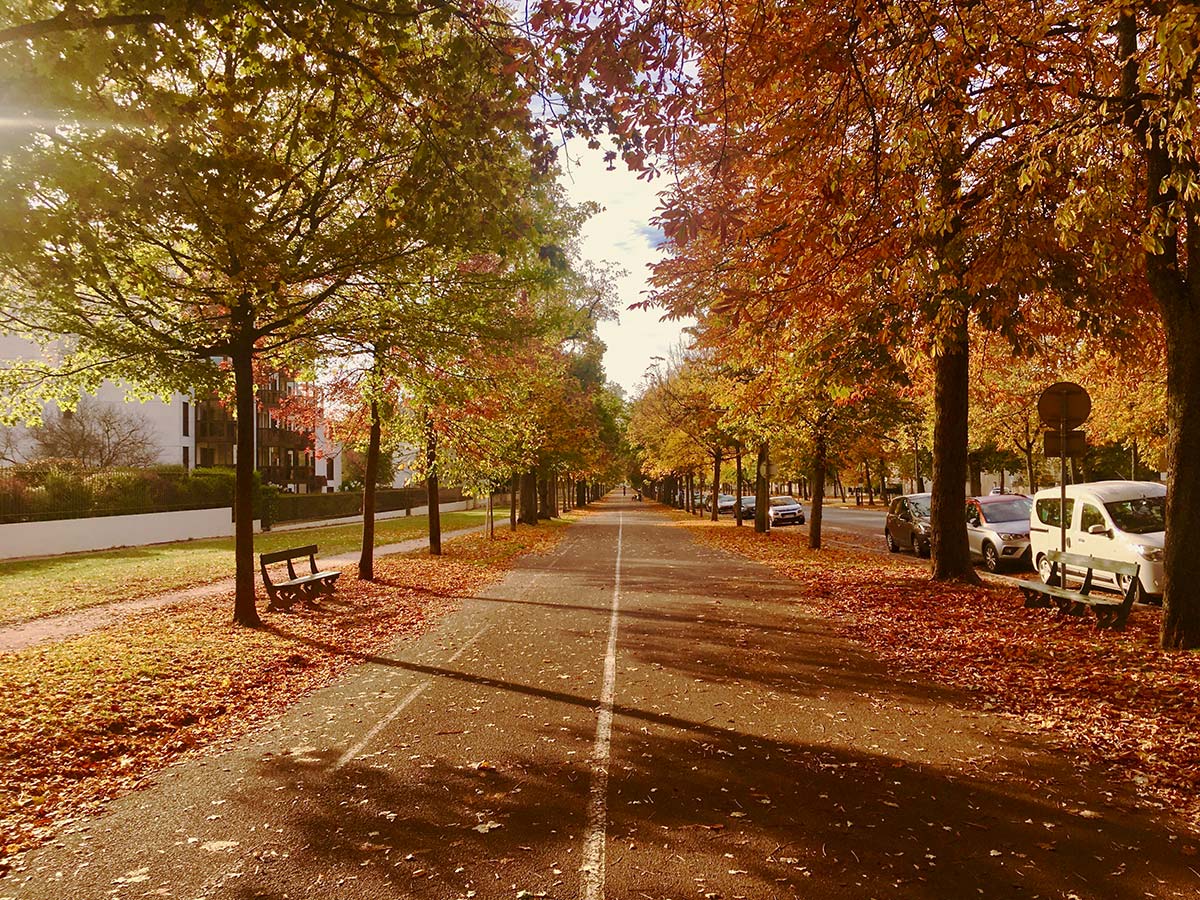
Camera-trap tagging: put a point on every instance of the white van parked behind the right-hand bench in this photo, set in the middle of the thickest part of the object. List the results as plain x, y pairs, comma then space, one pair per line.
1111, 520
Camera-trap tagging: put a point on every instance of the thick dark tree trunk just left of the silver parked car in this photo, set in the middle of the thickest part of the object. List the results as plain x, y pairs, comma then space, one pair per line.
950, 550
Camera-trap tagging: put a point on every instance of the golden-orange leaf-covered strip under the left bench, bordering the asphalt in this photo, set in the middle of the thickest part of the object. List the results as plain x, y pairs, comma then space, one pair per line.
92, 718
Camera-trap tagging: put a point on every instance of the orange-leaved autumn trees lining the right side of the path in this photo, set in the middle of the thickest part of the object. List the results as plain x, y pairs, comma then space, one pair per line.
869, 187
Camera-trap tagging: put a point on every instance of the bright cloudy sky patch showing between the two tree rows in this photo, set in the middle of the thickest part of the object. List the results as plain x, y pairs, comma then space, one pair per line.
623, 235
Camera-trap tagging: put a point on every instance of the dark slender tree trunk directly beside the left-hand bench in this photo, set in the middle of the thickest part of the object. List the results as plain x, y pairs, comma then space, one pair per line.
245, 609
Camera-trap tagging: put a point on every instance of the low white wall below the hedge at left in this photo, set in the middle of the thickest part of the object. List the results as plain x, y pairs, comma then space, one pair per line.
74, 536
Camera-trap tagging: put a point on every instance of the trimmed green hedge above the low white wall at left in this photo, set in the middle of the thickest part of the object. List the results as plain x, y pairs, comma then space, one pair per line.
56, 489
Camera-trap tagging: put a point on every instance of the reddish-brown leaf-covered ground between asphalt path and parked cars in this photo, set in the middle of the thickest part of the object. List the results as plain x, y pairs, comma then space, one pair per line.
1111, 697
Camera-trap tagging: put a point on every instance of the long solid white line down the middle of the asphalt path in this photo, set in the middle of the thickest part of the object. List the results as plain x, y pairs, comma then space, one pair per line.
593, 868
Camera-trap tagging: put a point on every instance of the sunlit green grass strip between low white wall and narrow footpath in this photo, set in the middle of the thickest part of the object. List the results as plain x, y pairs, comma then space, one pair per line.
33, 589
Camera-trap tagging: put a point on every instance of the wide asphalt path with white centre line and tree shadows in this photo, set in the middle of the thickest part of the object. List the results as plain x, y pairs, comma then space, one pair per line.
632, 716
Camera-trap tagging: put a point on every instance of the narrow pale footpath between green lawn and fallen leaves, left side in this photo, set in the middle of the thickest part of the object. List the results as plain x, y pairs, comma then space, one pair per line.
81, 622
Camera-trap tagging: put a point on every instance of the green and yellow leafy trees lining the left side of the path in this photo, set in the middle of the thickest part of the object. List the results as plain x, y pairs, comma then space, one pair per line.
195, 195
